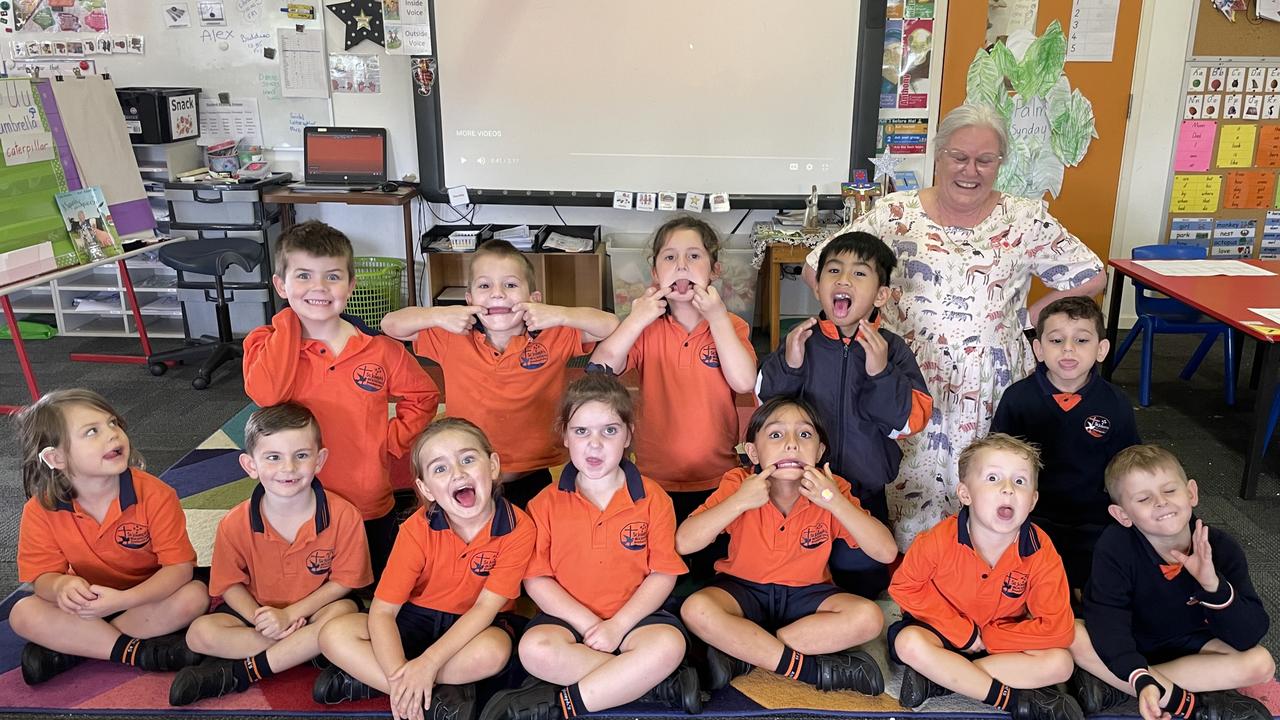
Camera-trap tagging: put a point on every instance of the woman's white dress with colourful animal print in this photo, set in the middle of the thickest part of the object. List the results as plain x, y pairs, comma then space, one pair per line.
959, 300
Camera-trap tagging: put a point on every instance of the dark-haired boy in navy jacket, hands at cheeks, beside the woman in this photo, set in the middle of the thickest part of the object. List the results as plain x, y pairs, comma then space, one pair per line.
863, 380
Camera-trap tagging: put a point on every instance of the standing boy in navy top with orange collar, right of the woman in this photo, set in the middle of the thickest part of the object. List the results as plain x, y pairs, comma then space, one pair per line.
1080, 422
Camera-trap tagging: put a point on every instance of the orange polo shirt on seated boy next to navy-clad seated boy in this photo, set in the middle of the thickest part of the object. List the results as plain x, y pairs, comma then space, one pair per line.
1021, 604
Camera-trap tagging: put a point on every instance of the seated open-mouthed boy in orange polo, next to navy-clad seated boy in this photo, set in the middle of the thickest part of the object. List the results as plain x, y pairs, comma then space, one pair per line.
986, 607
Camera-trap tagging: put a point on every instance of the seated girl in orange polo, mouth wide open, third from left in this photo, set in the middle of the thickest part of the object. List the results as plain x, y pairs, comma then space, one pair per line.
441, 618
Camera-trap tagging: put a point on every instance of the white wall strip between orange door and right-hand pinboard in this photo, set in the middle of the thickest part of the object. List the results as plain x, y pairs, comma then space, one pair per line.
1151, 134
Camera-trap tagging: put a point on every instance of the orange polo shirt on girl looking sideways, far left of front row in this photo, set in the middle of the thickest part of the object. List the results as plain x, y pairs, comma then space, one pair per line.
144, 530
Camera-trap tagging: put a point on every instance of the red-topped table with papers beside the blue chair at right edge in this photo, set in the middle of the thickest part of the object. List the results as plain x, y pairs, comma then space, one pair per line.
1227, 299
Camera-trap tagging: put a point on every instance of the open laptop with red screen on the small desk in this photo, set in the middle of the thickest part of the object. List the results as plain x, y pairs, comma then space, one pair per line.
337, 160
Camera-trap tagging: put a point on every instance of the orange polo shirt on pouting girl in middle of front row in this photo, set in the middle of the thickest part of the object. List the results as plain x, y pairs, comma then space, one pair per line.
629, 540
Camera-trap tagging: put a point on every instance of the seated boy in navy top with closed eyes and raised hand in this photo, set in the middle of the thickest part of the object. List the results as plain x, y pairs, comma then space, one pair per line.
1171, 614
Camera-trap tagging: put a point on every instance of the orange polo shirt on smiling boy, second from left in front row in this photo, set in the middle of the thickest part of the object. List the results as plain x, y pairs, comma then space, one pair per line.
278, 573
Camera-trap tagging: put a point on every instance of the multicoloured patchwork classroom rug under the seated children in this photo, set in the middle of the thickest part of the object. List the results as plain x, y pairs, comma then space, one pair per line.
211, 481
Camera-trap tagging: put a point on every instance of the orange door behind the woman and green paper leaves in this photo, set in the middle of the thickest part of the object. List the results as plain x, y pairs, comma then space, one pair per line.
1087, 202
